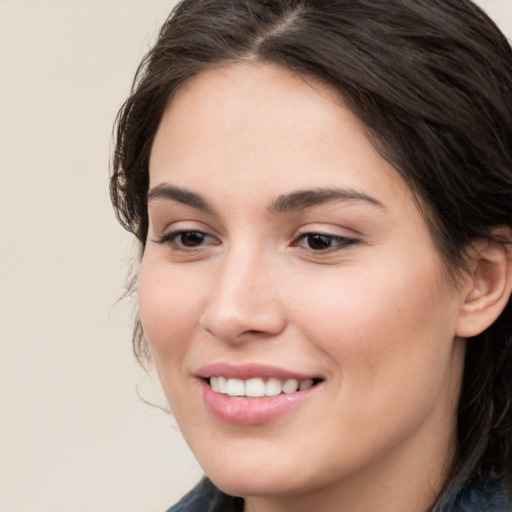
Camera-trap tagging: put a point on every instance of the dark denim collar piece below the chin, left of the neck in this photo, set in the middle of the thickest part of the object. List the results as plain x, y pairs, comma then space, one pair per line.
205, 497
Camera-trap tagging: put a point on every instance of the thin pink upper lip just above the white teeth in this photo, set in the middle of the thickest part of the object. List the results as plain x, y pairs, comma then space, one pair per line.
248, 371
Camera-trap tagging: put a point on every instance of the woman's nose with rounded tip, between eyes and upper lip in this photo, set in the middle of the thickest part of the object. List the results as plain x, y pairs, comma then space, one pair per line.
244, 300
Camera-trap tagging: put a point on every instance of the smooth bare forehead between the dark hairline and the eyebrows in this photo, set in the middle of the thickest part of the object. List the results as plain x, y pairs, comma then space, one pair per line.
259, 125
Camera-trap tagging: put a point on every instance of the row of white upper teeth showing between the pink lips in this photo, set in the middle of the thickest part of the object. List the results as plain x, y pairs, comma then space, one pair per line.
257, 387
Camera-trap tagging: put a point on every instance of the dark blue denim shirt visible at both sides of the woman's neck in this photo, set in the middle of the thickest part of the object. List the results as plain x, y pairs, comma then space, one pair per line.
205, 497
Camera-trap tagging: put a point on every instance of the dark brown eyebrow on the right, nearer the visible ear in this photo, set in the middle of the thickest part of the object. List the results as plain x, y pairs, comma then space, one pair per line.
304, 199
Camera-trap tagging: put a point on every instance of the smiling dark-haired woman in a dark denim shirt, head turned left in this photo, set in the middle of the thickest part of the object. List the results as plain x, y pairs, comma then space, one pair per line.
322, 192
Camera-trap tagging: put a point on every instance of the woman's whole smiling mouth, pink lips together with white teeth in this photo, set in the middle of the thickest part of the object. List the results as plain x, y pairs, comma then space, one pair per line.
253, 394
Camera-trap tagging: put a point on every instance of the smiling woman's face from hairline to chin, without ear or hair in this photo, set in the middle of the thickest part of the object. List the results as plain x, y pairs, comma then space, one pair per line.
297, 311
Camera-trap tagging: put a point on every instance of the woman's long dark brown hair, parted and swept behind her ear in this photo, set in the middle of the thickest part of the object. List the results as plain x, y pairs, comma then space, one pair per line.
431, 82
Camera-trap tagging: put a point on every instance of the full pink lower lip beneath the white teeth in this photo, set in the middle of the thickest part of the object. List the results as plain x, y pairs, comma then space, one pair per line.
252, 411
